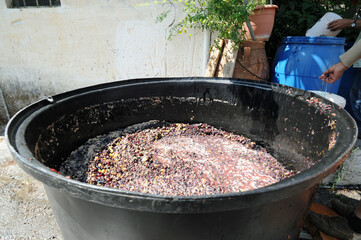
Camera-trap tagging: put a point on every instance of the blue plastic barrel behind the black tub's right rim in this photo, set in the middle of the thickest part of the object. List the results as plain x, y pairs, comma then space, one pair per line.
299, 62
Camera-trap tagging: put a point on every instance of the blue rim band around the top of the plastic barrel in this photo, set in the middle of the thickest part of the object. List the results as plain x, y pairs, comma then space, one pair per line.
314, 40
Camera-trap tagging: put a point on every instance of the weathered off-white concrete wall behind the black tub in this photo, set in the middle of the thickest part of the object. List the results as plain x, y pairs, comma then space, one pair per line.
45, 51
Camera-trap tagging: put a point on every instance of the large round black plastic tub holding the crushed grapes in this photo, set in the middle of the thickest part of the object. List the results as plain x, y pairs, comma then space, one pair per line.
280, 118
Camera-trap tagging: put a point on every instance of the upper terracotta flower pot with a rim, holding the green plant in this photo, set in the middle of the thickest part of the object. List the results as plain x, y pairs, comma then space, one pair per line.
262, 21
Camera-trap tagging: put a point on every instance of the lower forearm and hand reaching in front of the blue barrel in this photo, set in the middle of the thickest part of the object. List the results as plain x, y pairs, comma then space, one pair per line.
333, 73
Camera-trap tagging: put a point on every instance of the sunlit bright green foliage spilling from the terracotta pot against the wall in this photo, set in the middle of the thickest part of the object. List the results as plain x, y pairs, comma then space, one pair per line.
226, 17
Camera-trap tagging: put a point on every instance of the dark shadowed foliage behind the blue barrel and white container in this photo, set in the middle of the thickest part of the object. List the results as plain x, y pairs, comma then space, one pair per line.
294, 17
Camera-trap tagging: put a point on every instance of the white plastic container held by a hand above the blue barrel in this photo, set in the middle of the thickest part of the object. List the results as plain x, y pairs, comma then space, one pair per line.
320, 27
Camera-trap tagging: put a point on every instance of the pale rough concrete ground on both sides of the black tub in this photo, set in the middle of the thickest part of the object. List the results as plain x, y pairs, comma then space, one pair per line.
26, 214
